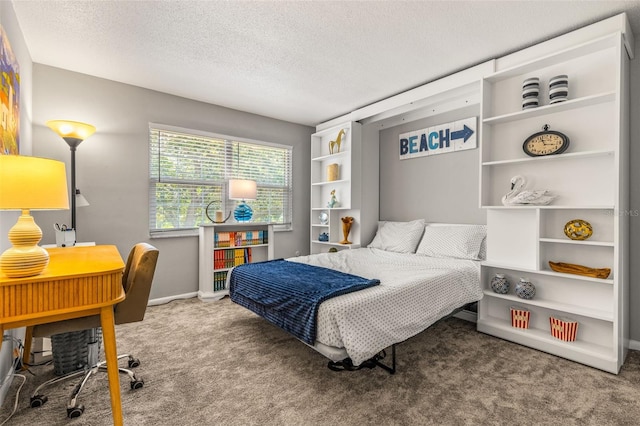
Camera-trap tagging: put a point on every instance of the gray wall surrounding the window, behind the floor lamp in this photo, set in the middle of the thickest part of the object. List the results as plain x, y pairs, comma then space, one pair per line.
112, 165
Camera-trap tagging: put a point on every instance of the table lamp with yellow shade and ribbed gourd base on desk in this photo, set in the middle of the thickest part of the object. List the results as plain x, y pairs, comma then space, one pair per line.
29, 183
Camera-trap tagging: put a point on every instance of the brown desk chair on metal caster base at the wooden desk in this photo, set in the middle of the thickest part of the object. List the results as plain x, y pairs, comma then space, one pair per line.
136, 280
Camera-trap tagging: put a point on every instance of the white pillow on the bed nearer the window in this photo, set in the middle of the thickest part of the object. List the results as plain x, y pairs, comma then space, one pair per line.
400, 237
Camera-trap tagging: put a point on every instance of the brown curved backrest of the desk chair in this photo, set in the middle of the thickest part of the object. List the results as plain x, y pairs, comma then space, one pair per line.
136, 280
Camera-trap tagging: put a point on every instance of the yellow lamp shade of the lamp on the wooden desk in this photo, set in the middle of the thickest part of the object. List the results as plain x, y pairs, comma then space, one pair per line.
32, 183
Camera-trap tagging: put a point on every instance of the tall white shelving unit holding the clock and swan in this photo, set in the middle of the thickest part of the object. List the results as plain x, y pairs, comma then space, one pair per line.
591, 182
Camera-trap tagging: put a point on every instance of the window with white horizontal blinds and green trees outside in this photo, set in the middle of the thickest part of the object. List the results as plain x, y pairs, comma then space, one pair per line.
189, 173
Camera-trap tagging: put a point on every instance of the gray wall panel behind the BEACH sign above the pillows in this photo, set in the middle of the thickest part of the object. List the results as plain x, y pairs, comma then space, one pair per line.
438, 188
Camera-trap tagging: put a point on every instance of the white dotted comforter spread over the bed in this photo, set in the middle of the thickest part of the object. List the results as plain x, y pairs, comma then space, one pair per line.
414, 292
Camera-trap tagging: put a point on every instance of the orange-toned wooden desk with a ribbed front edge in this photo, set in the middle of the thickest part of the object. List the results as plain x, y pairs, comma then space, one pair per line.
78, 282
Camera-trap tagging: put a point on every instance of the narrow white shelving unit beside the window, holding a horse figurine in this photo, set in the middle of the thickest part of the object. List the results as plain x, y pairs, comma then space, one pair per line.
347, 187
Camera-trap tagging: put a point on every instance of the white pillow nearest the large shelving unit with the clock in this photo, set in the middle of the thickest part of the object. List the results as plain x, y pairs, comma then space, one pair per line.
457, 241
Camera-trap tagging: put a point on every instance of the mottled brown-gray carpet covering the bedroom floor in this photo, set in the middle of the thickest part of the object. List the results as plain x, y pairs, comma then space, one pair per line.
217, 363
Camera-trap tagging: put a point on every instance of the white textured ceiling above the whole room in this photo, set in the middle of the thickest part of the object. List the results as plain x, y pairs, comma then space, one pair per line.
299, 61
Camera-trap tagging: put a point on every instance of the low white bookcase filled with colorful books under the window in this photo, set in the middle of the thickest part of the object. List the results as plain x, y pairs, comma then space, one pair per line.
223, 246
